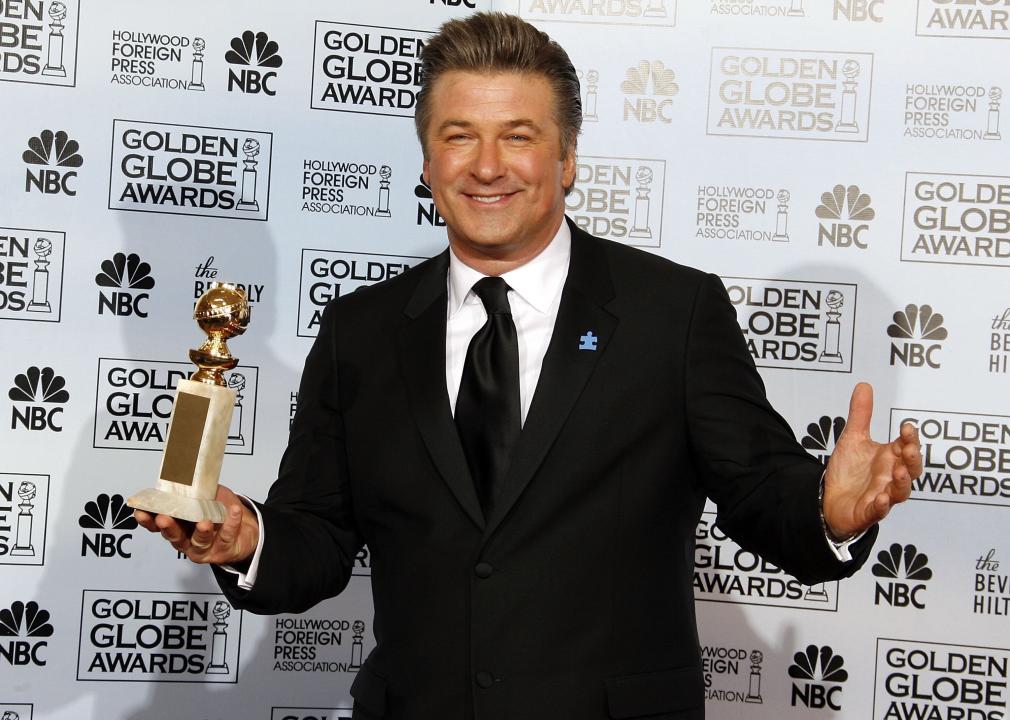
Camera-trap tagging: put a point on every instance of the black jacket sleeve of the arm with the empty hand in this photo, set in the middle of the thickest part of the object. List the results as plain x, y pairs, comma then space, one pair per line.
764, 484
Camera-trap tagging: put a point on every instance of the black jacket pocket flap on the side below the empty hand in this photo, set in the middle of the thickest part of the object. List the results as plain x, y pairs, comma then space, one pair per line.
644, 694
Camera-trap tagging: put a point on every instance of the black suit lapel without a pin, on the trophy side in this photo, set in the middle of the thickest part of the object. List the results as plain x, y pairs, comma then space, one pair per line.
422, 349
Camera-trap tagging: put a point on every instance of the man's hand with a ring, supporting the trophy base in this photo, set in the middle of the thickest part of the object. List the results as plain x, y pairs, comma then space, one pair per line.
232, 543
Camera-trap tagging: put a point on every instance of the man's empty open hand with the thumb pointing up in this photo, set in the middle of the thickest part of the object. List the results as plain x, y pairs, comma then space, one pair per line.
866, 479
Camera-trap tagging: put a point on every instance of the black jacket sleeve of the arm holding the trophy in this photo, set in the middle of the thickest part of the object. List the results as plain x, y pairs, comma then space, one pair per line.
312, 538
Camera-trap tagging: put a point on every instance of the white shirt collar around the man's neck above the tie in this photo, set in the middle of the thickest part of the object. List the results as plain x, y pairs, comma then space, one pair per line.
539, 282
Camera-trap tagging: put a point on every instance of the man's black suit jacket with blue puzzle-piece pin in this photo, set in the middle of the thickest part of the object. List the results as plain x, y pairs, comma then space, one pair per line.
574, 599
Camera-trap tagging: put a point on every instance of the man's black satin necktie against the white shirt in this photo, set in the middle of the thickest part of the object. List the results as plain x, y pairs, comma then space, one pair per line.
487, 407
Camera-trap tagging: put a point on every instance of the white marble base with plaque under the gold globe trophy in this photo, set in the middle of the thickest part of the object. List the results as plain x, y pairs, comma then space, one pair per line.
191, 463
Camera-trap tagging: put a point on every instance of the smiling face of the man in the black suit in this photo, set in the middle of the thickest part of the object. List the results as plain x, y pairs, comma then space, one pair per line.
494, 165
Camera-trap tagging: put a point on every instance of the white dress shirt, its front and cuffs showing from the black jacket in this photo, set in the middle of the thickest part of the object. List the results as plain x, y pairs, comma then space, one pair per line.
535, 297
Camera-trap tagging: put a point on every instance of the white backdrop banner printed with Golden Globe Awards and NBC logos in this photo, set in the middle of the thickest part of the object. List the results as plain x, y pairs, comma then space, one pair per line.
841, 164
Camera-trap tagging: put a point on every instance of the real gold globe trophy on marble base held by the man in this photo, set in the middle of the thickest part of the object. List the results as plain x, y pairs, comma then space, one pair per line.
201, 418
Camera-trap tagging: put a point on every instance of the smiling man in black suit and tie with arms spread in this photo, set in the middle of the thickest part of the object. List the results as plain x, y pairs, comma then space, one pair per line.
542, 574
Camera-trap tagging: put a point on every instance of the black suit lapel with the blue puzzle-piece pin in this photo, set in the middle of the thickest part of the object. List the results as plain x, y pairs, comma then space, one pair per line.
567, 368
